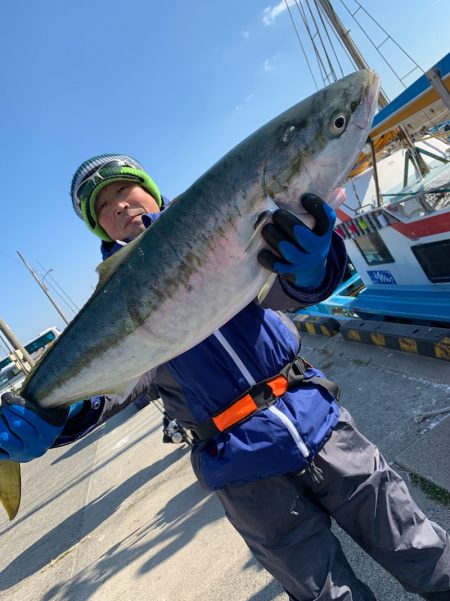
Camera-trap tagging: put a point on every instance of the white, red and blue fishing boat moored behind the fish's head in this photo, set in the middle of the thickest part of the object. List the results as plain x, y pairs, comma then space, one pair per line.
396, 219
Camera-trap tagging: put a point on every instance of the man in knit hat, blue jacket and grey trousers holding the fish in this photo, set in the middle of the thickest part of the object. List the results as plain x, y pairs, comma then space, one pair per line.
284, 468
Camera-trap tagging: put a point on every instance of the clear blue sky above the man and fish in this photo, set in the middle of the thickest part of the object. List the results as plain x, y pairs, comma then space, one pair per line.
176, 84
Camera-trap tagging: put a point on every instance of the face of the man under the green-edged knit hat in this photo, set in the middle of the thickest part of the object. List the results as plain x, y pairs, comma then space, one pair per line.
120, 206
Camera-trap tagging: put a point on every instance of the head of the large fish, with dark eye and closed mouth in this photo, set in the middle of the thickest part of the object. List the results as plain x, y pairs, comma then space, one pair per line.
314, 144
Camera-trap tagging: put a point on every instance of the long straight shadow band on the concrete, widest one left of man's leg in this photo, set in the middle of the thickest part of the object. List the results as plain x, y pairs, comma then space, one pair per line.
71, 530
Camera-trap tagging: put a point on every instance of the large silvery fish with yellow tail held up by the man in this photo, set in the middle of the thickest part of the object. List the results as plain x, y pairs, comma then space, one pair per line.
196, 266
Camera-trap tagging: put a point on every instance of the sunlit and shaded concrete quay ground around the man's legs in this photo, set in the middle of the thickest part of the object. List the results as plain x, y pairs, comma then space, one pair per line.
119, 515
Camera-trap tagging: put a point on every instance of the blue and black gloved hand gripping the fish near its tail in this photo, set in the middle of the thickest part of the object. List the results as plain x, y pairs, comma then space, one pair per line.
26, 430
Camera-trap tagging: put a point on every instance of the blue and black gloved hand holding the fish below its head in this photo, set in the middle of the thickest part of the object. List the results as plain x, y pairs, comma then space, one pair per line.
300, 253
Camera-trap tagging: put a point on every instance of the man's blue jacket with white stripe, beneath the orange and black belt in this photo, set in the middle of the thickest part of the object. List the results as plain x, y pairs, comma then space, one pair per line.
254, 345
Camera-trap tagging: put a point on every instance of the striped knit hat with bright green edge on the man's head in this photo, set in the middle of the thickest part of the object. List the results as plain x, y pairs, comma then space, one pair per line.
96, 173
